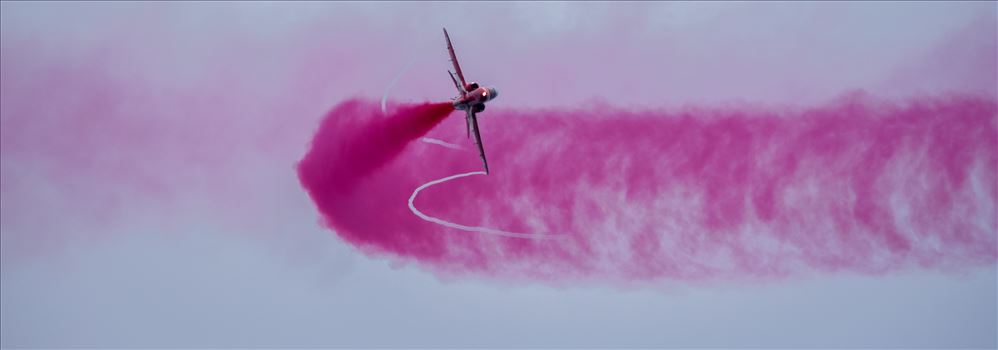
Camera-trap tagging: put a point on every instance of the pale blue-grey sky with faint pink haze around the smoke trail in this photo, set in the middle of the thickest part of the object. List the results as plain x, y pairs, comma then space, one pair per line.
150, 195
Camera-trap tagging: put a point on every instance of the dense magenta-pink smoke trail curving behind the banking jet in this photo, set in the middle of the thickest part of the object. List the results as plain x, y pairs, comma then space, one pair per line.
703, 193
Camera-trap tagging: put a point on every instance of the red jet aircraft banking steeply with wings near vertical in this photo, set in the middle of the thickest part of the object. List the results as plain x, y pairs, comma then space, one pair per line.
471, 98
